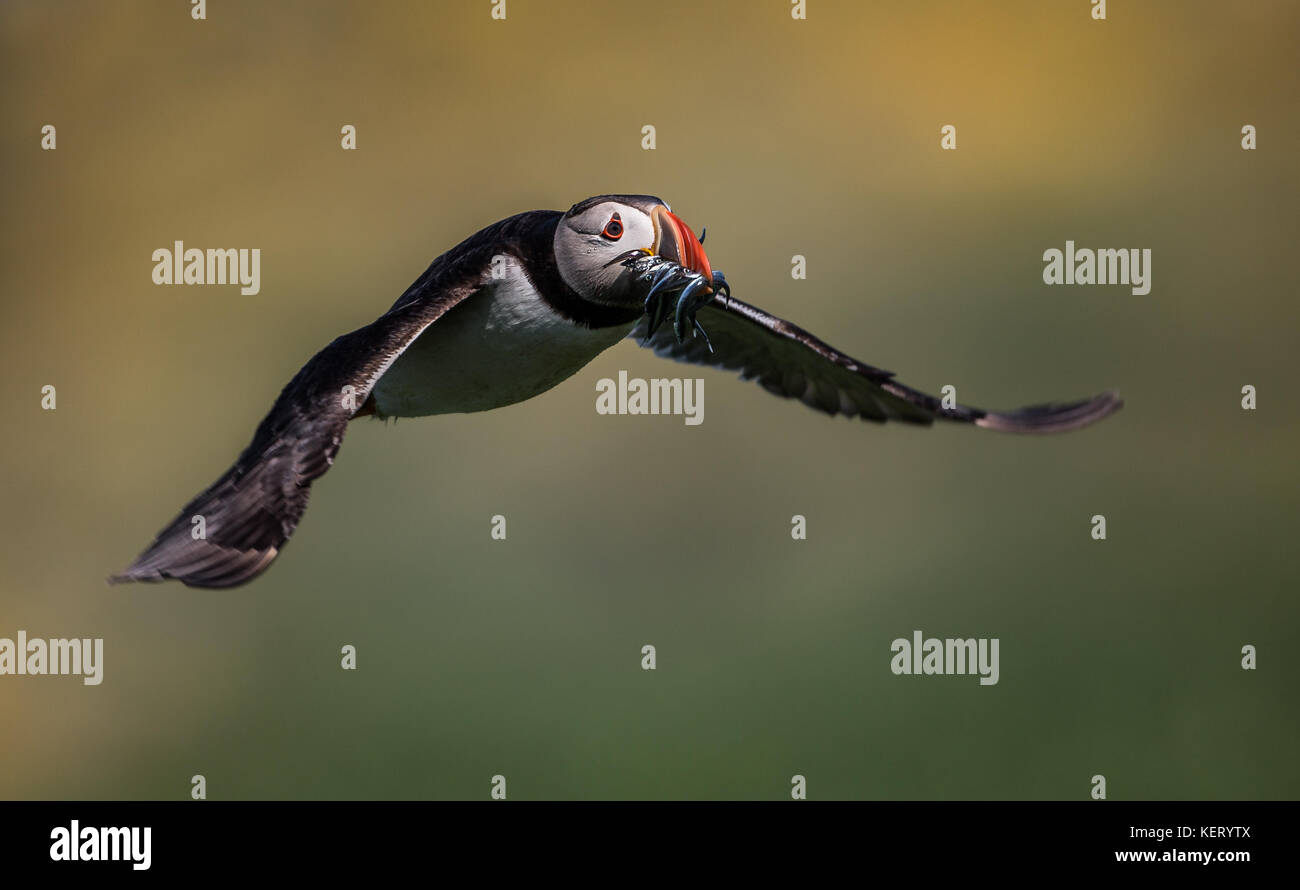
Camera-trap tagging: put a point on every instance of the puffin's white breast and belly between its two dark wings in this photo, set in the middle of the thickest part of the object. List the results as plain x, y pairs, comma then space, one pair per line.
499, 348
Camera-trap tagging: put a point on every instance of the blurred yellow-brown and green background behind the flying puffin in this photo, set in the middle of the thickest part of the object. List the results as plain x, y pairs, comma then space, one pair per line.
820, 138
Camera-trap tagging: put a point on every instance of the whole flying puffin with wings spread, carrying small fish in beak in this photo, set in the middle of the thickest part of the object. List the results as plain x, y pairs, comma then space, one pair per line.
505, 316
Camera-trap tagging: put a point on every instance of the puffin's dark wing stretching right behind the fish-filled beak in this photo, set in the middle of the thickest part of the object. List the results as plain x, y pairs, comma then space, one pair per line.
791, 363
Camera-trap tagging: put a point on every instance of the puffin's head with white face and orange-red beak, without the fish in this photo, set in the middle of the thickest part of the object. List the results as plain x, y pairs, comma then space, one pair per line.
596, 238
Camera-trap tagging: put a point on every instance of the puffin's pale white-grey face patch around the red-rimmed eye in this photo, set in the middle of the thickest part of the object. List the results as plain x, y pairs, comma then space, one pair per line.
590, 249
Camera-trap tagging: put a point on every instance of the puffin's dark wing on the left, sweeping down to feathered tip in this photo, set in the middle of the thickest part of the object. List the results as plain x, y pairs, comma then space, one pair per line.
252, 511
